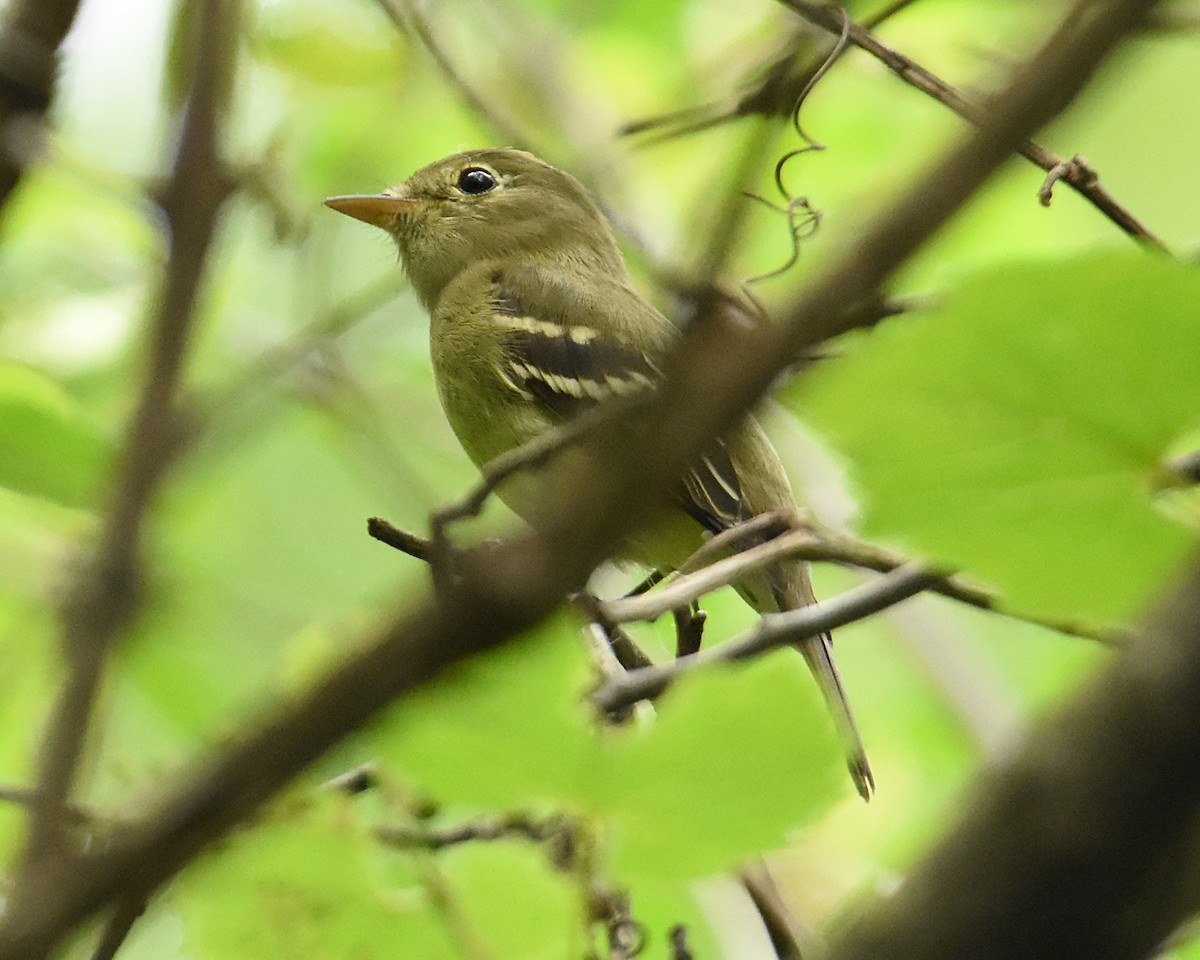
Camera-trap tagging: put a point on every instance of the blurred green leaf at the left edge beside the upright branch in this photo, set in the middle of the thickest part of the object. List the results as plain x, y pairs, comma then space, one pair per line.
47, 449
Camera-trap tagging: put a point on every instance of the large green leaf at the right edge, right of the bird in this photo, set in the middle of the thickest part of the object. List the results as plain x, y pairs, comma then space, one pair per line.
1015, 431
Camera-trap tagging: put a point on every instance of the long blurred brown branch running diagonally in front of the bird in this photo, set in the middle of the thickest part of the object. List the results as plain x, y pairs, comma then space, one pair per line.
511, 587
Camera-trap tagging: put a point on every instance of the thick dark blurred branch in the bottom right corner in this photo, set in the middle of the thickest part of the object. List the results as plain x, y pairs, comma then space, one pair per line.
1084, 844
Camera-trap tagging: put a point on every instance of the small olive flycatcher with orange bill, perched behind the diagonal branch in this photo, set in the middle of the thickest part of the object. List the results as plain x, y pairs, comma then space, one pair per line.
535, 320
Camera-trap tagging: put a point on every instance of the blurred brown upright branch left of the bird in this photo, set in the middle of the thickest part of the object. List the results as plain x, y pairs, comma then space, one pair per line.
105, 595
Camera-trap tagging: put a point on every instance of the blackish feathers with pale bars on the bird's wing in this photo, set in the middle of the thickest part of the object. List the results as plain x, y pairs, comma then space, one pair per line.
569, 369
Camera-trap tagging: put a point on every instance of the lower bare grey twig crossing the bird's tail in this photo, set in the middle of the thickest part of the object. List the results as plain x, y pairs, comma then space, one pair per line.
773, 631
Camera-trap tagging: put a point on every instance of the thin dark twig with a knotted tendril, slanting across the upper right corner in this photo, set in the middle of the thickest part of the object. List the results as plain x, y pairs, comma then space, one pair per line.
1076, 173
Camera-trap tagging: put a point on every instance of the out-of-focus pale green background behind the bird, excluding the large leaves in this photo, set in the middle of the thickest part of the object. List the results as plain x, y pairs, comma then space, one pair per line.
315, 407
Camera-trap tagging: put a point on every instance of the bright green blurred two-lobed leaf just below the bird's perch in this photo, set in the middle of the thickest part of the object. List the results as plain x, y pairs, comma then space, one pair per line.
688, 795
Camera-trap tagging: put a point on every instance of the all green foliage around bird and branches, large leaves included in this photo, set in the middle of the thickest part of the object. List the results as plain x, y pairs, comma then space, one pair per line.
1012, 427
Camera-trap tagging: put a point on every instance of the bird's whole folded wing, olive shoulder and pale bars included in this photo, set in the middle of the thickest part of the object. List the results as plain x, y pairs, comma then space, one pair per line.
571, 365
